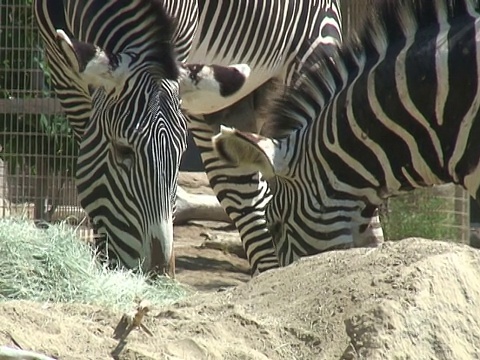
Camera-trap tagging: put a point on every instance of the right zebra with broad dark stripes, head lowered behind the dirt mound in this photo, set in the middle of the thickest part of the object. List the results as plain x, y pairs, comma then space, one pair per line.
396, 108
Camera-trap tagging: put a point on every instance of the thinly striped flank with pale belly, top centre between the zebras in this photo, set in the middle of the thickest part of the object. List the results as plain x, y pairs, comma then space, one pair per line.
267, 35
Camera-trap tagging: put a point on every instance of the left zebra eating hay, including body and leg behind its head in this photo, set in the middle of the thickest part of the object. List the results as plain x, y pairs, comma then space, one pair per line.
126, 169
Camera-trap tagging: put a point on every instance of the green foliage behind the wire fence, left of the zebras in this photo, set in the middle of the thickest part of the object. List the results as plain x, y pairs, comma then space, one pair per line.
39, 142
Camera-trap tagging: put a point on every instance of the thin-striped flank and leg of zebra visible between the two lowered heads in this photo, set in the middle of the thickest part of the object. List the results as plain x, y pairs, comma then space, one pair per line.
244, 195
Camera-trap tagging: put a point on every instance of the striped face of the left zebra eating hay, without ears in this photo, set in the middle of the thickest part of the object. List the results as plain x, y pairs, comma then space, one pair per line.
126, 199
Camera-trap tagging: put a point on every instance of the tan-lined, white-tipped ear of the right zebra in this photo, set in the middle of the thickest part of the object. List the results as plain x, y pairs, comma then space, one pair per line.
247, 150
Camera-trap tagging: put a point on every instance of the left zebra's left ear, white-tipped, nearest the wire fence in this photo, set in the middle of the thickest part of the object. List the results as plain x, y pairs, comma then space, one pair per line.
95, 66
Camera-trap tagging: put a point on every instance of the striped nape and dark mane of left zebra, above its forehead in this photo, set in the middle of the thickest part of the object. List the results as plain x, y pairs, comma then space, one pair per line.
139, 26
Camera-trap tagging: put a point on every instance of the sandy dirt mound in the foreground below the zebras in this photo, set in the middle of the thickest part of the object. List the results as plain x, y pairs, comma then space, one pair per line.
415, 299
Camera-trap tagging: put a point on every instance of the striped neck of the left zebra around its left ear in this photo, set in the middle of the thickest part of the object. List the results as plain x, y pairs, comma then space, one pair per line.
110, 26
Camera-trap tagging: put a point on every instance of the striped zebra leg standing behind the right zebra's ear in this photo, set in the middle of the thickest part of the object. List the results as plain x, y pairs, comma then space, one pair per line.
243, 196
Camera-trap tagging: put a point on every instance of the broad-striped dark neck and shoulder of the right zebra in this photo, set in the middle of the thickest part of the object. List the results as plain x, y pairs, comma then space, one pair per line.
402, 108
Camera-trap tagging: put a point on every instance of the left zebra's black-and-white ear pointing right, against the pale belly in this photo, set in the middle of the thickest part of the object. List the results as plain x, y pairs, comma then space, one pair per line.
211, 85
